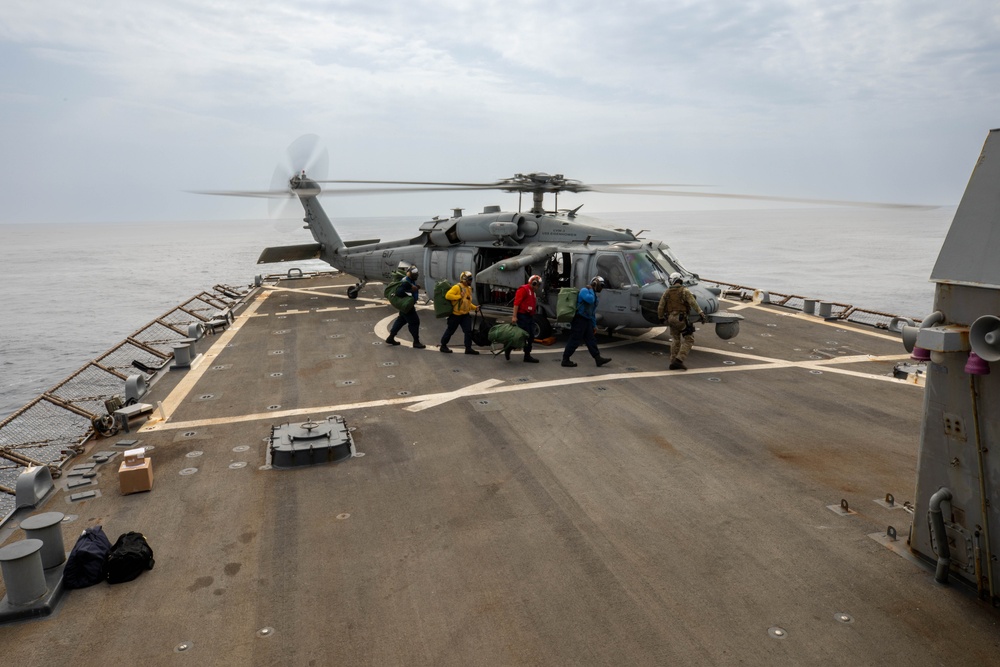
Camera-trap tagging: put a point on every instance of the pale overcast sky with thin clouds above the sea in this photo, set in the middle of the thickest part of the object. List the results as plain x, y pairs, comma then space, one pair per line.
111, 110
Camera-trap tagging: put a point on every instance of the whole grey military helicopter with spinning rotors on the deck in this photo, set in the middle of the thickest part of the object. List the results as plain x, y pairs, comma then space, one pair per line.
502, 249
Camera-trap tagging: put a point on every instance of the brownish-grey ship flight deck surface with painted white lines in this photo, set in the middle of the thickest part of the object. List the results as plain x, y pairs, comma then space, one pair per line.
511, 513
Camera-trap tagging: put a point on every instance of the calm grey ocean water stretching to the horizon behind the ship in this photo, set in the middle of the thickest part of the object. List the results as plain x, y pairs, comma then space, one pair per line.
75, 290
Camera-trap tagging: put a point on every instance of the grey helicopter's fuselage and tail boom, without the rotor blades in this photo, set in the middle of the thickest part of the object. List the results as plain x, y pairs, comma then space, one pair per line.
503, 249
